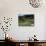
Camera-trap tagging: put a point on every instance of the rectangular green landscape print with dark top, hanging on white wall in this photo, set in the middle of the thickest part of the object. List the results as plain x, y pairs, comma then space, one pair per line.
26, 20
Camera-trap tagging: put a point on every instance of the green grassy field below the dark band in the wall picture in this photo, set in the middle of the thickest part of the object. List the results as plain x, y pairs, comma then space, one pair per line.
26, 22
